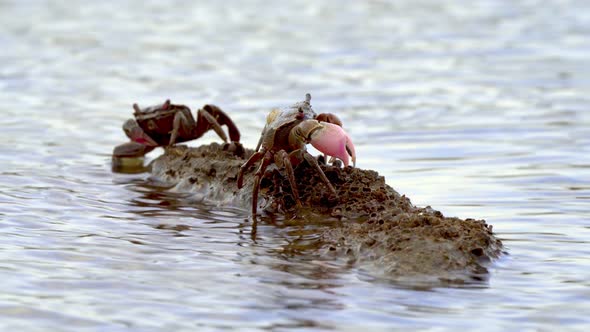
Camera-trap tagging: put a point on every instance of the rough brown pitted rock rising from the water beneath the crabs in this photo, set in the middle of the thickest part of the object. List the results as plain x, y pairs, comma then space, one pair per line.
374, 228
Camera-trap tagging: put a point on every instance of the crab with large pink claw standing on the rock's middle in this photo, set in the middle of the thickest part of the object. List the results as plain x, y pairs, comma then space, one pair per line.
284, 139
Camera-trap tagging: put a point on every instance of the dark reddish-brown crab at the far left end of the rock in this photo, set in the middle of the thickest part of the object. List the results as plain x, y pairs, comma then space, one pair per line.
167, 124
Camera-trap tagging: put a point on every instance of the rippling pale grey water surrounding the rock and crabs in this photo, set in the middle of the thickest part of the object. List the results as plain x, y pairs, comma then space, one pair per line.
479, 110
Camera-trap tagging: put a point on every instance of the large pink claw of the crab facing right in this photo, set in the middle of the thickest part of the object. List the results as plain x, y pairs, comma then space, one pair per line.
334, 141
